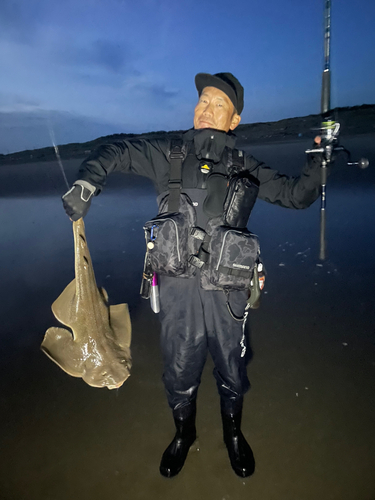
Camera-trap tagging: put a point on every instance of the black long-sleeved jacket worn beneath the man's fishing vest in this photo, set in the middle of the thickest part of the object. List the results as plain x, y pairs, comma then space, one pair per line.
150, 158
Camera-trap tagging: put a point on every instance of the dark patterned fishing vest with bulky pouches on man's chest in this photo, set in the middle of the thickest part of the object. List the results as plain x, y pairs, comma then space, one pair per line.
224, 252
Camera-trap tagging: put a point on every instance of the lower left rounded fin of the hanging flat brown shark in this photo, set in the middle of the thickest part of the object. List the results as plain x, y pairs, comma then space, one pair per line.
58, 345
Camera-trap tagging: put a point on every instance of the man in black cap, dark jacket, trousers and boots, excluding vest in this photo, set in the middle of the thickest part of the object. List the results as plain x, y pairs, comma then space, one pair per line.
195, 317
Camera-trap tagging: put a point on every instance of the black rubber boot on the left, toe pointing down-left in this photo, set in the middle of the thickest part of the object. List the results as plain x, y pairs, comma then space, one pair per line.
174, 457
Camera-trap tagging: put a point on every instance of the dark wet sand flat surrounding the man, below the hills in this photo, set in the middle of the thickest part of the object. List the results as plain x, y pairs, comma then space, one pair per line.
310, 413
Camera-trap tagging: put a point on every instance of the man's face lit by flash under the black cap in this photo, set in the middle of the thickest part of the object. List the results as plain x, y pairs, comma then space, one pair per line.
215, 110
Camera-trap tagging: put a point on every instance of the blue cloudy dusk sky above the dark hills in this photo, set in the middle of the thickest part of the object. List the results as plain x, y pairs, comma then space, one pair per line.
86, 68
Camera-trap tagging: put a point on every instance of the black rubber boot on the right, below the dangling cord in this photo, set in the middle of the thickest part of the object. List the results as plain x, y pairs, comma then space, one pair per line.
240, 454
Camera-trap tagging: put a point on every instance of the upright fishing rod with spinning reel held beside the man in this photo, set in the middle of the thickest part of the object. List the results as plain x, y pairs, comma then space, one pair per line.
329, 130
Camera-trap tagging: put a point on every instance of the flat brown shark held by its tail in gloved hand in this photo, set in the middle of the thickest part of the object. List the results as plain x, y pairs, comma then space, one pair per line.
97, 348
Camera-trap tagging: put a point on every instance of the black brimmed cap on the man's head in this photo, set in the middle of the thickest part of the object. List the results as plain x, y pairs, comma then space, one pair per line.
225, 82
